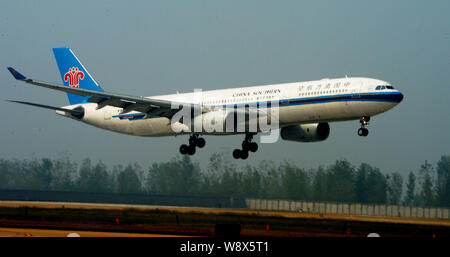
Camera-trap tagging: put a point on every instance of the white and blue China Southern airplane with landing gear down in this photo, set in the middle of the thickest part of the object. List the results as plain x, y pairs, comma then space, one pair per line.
303, 109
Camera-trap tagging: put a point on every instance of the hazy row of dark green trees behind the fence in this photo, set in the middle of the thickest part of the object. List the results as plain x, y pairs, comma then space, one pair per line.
341, 181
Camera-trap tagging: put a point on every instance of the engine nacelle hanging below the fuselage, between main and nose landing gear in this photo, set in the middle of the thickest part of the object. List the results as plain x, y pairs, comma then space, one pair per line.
313, 132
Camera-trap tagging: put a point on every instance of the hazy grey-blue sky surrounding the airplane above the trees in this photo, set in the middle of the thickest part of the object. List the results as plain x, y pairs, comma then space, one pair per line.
159, 47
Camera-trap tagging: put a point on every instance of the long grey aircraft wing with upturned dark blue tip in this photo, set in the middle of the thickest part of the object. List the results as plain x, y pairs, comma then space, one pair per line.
151, 106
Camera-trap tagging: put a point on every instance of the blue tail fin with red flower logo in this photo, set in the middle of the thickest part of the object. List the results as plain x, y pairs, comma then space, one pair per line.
74, 74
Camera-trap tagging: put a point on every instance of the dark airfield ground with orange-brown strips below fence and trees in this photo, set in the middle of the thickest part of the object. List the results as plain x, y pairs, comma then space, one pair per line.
58, 219
